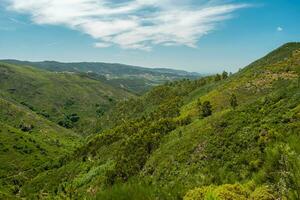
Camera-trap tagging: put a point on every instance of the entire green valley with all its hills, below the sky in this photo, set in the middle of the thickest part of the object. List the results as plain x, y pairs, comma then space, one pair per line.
67, 131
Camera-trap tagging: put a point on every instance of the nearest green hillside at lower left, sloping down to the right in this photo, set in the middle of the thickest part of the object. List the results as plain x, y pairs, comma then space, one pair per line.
27, 142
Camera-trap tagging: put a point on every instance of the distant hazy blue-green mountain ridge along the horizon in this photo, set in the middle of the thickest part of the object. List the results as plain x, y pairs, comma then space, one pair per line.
135, 79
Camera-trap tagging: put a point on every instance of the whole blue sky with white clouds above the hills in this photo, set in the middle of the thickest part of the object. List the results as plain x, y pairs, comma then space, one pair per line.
205, 36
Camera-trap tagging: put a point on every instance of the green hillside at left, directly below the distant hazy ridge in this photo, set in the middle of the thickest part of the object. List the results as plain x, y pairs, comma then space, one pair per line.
72, 100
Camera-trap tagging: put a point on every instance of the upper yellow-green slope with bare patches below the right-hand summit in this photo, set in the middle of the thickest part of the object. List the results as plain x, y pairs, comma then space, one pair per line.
256, 80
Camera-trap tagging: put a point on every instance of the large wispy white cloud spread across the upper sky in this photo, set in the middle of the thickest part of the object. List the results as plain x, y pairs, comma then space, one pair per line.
132, 24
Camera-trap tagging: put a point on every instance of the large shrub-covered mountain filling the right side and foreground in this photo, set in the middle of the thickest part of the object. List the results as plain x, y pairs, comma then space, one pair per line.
217, 137
